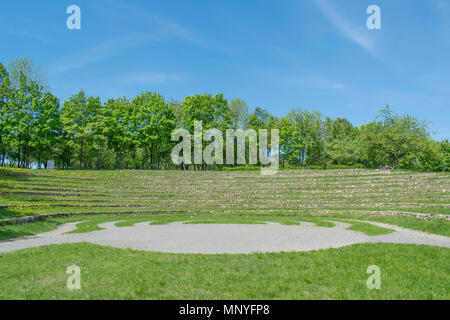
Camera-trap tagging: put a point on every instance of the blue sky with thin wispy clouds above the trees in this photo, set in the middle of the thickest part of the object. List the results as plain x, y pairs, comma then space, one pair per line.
279, 54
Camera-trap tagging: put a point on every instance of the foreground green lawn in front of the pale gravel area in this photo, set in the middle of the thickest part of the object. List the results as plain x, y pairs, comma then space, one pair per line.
407, 272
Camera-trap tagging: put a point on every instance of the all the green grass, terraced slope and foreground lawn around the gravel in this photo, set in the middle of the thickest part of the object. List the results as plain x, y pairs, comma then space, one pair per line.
291, 197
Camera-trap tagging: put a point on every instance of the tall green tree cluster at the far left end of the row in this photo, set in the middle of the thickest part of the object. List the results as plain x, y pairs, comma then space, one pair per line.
29, 117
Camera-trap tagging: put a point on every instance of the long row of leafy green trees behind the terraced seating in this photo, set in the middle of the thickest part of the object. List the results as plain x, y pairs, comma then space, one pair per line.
85, 133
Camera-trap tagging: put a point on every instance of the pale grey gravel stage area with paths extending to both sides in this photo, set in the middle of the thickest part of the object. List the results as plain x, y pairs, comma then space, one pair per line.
179, 237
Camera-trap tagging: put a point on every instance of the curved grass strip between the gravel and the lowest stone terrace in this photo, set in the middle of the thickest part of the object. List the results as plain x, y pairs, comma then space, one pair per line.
437, 226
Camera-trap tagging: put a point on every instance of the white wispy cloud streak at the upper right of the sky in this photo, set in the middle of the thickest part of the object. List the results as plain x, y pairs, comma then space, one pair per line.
352, 32
